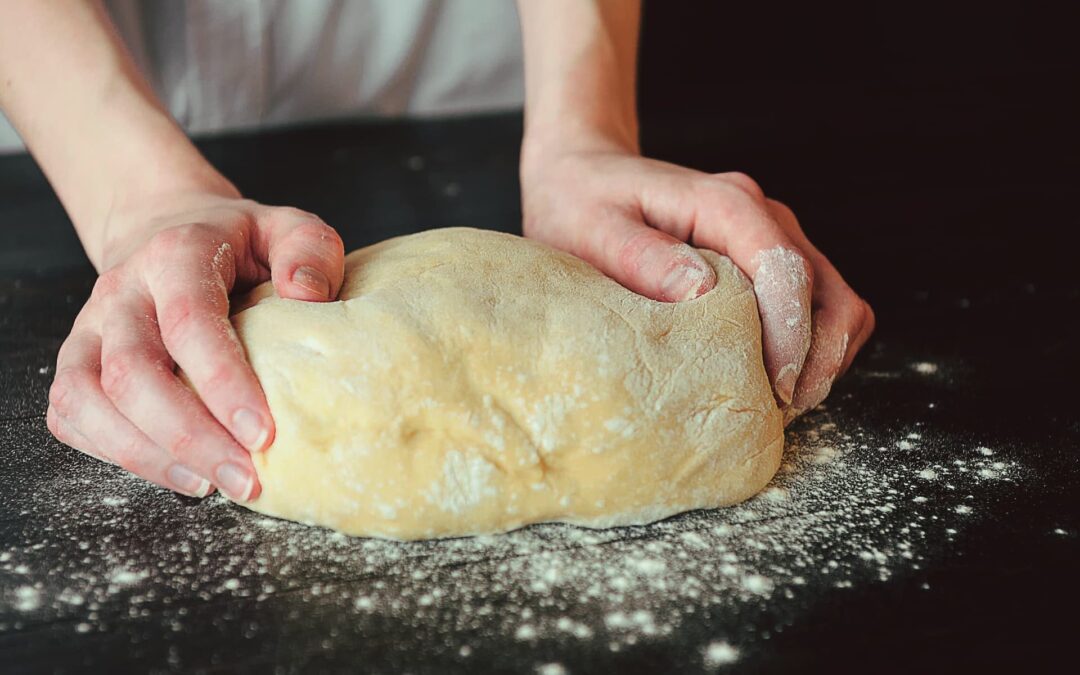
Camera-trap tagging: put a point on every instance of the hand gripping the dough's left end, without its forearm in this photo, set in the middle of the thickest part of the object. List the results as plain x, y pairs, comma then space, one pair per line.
164, 302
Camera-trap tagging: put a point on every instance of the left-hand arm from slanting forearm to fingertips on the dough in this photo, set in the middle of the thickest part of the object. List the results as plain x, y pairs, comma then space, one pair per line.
171, 237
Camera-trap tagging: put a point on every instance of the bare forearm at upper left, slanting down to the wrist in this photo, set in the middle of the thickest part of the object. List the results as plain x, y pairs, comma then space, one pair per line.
89, 118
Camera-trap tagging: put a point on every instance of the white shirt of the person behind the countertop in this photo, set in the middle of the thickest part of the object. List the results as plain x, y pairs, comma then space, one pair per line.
222, 65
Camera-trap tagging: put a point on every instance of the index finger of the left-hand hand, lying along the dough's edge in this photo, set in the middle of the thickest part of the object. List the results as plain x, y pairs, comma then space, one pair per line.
196, 331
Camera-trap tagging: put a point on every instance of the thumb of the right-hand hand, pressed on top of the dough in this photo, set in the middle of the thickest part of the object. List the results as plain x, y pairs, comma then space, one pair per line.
645, 261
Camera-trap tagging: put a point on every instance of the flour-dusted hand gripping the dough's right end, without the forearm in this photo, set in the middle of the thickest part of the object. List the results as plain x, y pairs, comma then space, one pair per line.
631, 218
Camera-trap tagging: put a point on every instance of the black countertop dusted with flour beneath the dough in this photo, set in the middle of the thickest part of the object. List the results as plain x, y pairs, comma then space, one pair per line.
928, 520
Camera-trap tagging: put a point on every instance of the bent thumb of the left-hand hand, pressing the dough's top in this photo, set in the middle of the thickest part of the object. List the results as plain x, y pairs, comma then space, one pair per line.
306, 256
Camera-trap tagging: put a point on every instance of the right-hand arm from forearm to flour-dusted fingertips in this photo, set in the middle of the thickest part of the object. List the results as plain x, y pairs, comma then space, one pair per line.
587, 190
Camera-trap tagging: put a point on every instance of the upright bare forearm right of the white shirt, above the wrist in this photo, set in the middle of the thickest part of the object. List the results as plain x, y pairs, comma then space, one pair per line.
580, 72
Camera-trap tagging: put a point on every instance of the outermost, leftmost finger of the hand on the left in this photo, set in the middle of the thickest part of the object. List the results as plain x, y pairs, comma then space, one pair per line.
82, 416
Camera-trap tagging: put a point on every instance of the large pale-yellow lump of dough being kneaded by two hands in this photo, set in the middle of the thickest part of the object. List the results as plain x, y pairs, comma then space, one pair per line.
471, 382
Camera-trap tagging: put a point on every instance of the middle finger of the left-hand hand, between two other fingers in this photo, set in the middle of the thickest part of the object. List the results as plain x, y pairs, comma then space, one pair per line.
138, 376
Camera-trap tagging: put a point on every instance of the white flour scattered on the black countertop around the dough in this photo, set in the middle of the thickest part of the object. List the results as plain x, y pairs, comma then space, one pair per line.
849, 508
